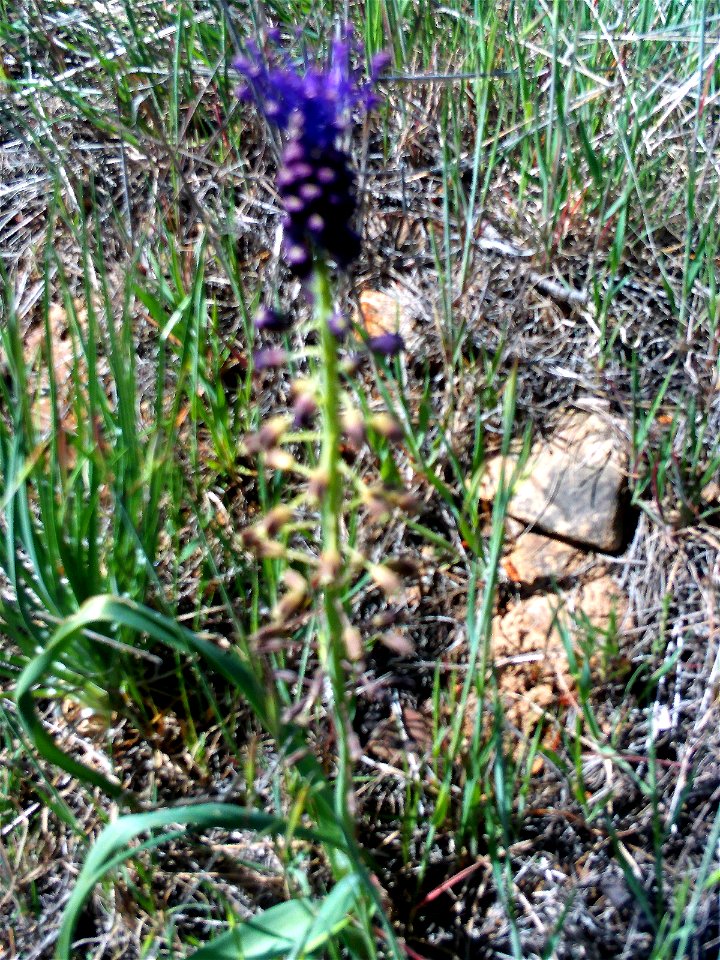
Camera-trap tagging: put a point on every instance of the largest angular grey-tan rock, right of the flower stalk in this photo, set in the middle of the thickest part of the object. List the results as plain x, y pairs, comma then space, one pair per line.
570, 486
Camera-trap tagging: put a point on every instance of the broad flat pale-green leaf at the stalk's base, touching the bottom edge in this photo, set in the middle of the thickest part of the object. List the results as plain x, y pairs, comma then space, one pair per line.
292, 930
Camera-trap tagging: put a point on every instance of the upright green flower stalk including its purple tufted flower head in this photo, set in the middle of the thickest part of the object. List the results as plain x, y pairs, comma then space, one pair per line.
311, 108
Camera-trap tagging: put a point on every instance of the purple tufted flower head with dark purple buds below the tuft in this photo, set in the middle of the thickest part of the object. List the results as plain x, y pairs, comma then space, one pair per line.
316, 183
